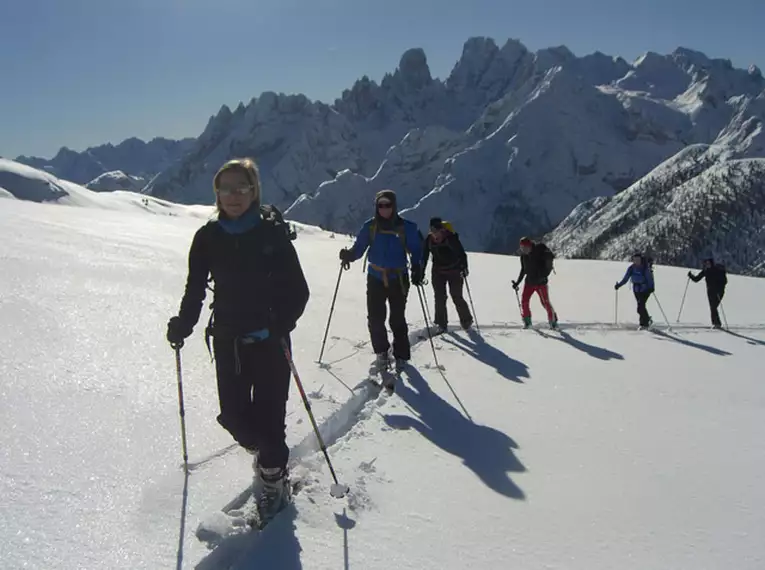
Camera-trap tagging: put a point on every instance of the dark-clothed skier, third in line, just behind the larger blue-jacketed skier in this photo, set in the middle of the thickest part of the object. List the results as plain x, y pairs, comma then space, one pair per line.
450, 268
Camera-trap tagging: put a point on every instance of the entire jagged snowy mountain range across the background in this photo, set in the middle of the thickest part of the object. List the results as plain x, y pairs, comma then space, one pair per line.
509, 144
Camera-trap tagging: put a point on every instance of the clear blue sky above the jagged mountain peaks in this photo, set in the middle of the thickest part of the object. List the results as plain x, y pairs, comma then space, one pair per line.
79, 73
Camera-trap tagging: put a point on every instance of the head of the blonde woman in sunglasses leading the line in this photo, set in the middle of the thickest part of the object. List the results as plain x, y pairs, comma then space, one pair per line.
237, 187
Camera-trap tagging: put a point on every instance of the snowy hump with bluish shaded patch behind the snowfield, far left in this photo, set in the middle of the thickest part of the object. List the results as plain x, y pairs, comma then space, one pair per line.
29, 184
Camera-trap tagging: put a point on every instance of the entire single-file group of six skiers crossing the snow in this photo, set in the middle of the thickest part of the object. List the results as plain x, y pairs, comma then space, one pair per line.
260, 292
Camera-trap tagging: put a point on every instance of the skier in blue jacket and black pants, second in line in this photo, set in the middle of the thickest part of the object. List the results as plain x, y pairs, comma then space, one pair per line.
389, 239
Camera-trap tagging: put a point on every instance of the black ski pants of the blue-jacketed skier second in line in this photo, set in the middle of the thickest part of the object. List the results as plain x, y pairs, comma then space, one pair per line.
379, 296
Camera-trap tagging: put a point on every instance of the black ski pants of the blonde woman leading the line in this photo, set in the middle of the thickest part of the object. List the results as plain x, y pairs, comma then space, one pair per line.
253, 387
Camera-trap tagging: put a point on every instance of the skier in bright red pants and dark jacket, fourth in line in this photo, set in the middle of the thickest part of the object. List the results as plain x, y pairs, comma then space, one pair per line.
536, 266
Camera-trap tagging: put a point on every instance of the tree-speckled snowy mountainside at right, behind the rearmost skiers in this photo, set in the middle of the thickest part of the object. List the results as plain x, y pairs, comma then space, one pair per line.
693, 206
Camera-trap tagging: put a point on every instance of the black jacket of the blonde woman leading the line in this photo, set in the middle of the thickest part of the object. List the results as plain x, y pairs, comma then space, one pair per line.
258, 280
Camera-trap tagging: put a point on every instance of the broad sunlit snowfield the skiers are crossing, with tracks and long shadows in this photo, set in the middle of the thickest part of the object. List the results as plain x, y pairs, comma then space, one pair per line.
599, 447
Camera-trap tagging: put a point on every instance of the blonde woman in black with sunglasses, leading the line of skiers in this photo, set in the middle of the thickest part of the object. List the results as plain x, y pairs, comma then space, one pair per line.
259, 294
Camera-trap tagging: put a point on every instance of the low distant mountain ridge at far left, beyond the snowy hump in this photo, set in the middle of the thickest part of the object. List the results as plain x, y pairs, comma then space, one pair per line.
132, 156
